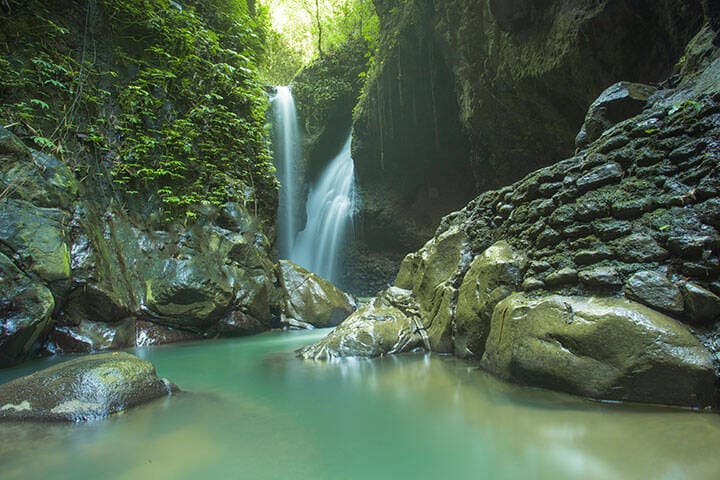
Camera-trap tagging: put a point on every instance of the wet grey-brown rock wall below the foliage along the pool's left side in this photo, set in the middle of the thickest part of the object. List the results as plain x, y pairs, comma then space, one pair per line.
80, 275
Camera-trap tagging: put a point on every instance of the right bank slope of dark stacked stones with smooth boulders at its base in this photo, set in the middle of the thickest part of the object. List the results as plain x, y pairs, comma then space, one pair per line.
598, 275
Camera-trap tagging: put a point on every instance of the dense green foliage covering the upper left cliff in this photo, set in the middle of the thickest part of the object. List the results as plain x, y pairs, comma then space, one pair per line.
178, 112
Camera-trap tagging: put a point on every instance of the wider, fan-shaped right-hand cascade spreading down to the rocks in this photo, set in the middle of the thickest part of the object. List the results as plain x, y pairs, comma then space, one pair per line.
330, 209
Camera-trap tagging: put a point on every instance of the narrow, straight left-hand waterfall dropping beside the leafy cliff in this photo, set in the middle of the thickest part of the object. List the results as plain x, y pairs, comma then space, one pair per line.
287, 154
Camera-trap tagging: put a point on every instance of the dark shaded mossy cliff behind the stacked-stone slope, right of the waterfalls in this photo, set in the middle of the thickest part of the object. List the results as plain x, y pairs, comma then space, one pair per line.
470, 95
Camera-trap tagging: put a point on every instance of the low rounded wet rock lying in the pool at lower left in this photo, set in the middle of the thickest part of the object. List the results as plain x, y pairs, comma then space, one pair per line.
83, 389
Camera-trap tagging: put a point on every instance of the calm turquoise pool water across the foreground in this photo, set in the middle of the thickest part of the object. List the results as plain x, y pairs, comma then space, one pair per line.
254, 411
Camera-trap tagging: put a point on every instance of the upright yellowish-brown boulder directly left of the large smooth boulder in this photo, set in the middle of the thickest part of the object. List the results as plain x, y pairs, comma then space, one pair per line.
493, 275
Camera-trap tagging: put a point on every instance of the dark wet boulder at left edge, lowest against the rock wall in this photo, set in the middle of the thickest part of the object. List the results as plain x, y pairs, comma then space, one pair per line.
25, 309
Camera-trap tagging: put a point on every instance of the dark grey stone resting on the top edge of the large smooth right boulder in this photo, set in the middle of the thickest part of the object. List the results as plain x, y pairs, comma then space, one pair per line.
656, 291
